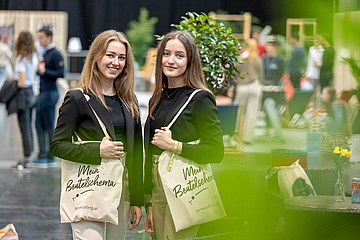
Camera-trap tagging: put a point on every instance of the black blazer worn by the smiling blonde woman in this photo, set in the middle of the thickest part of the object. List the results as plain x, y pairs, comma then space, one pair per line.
76, 115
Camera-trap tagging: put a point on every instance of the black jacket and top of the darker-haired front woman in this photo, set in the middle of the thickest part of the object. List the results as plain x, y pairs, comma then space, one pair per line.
199, 120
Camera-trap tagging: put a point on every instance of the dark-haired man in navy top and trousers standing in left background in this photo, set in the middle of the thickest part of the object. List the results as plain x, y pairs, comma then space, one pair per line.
50, 69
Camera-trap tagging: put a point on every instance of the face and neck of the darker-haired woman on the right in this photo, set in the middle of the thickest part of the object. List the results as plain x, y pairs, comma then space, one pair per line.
174, 63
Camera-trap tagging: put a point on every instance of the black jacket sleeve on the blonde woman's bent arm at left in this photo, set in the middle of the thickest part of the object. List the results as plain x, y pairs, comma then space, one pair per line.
68, 121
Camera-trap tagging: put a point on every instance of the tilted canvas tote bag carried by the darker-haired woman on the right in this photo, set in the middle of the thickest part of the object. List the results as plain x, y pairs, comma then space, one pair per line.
190, 188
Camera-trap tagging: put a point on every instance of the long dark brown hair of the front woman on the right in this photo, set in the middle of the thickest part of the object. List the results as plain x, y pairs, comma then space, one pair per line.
193, 75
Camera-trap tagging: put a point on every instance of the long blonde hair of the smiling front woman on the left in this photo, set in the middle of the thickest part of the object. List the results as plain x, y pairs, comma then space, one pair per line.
124, 84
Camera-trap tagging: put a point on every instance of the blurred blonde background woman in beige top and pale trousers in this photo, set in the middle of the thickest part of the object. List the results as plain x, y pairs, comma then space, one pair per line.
248, 89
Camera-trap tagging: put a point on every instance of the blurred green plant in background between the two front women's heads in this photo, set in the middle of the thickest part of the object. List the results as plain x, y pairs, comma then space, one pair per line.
141, 35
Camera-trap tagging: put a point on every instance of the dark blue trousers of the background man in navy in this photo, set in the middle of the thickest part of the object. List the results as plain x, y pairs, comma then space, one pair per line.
45, 121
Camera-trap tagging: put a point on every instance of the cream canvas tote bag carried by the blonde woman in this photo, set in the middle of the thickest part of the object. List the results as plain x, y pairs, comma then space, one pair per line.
91, 192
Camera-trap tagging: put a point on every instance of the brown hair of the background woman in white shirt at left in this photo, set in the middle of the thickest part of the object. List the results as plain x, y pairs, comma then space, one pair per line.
24, 45
